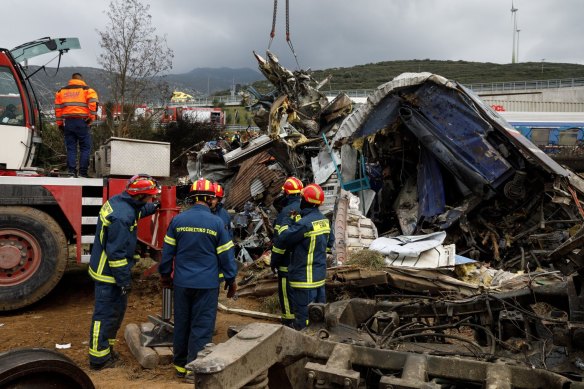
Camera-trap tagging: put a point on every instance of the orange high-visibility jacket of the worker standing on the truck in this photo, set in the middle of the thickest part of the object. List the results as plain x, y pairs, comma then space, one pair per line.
76, 100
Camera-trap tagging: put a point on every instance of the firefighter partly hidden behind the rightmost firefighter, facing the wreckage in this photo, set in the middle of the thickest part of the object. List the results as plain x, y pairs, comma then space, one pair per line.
279, 264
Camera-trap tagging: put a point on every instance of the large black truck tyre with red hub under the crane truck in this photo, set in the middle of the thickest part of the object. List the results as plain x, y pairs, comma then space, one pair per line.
33, 256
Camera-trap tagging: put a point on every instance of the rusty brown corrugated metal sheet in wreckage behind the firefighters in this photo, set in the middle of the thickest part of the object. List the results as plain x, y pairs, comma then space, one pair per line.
253, 174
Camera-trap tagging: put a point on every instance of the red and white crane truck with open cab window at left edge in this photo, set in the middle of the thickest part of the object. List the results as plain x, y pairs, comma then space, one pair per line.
45, 221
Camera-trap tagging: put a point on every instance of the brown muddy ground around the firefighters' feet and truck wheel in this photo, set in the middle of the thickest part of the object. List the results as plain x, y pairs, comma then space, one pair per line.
64, 317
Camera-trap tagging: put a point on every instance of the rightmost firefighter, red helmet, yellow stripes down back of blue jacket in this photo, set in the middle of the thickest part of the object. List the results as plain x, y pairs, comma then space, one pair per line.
309, 239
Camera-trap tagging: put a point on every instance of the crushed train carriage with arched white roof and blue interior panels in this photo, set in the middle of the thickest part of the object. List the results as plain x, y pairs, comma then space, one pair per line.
449, 162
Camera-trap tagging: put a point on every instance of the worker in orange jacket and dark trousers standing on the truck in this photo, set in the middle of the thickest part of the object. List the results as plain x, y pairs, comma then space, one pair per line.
75, 108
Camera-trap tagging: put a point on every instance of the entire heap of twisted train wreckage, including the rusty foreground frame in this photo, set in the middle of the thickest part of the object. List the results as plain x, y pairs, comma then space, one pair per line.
430, 164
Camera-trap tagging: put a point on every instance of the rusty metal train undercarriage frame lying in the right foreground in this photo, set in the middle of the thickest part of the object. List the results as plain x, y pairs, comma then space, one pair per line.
519, 339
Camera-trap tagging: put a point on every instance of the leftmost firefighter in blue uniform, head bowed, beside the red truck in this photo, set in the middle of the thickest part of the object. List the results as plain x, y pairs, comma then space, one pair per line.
112, 258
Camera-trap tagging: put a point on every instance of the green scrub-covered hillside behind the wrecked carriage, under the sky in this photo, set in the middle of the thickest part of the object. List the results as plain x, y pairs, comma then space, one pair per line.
370, 76
